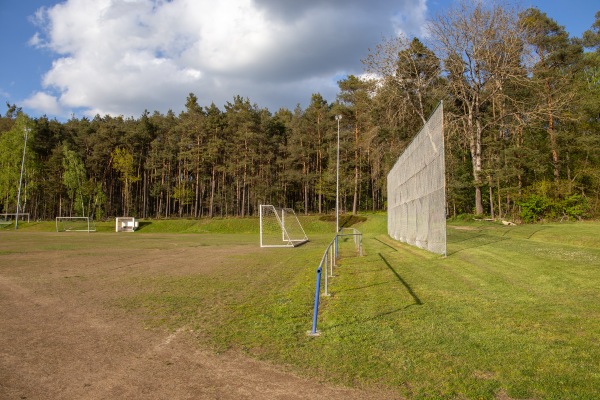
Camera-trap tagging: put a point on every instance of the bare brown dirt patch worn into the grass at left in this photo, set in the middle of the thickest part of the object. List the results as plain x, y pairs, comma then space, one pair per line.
62, 337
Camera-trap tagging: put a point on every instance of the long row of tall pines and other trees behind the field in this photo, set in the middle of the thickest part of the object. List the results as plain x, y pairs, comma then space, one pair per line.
522, 126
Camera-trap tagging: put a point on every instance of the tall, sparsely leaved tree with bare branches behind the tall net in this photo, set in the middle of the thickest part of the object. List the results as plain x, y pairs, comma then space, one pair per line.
481, 48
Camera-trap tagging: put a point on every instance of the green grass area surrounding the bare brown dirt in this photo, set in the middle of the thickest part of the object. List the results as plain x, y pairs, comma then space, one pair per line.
512, 312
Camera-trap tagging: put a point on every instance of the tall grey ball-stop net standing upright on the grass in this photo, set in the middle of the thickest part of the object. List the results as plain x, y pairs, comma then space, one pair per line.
417, 190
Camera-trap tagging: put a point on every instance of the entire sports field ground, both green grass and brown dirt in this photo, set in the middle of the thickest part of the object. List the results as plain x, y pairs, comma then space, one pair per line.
188, 309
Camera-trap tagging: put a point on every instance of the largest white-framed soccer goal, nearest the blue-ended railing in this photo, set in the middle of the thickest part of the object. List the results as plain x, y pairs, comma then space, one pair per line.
280, 227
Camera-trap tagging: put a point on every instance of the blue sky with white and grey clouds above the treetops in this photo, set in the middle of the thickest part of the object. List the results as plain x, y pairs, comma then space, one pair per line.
87, 57
